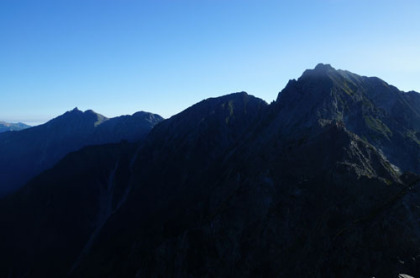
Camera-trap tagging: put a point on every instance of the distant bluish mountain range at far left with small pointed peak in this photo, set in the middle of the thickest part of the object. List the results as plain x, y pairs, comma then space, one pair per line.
27, 153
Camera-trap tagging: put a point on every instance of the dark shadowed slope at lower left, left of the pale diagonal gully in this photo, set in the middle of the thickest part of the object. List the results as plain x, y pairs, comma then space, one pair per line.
56, 214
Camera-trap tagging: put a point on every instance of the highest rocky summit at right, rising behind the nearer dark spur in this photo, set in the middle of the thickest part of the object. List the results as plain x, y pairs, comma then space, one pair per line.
369, 107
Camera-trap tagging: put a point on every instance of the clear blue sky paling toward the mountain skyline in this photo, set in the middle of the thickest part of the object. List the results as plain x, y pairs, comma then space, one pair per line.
121, 56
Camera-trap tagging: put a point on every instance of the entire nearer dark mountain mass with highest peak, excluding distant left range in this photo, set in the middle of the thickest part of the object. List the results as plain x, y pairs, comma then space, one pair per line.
323, 182
